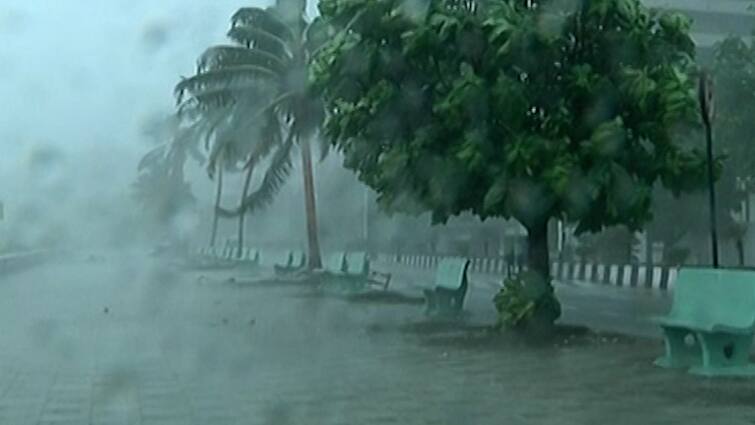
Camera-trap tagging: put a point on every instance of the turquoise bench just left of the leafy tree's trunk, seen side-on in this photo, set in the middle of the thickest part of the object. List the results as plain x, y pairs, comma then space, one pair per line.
446, 298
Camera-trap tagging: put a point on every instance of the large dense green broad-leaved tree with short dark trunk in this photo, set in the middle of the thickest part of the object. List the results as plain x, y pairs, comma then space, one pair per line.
519, 109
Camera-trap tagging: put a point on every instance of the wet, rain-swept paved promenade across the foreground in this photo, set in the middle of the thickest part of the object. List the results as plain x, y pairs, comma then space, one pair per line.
127, 341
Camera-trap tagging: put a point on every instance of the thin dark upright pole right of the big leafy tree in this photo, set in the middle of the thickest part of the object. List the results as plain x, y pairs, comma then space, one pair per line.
705, 95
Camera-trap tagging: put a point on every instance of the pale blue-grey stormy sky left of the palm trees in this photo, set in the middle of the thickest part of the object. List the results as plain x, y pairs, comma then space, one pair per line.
77, 77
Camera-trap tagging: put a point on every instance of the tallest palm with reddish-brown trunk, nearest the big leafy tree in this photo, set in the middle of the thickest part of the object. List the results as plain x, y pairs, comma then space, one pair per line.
266, 66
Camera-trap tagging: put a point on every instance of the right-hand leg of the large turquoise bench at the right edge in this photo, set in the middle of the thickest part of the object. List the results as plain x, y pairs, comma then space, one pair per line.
724, 355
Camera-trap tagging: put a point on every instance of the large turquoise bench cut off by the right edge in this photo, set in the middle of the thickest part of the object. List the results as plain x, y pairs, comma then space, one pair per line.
710, 327
